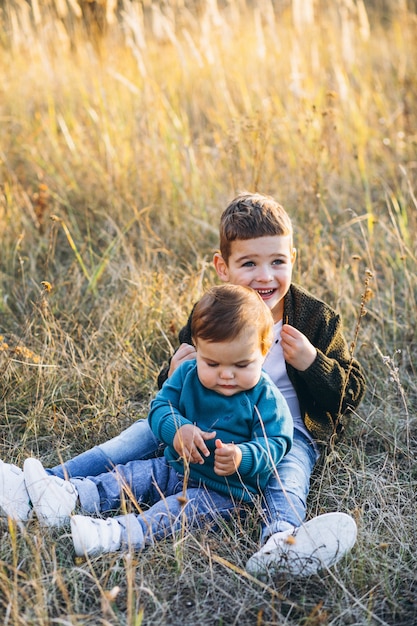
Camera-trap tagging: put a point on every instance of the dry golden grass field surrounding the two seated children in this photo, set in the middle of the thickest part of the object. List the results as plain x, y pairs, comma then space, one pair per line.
124, 132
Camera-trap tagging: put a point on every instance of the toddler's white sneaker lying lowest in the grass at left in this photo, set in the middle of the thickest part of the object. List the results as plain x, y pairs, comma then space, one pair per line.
93, 536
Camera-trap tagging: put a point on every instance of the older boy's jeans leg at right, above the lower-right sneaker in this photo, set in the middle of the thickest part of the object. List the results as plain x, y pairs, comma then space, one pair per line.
286, 494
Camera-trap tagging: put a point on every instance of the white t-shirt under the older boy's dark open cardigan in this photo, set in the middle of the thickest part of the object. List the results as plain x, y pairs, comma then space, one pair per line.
274, 366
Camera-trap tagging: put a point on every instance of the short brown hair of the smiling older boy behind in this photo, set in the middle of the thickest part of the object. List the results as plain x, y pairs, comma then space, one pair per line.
249, 216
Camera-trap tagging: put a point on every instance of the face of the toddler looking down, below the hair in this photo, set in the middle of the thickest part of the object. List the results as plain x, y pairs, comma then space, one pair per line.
229, 367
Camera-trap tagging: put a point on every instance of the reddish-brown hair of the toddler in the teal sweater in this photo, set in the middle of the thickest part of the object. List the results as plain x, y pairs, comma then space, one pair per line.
226, 310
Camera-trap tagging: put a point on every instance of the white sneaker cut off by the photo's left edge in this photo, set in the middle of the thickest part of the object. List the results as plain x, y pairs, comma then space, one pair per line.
14, 498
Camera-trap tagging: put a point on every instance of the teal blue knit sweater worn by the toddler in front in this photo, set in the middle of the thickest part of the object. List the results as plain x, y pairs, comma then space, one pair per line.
258, 421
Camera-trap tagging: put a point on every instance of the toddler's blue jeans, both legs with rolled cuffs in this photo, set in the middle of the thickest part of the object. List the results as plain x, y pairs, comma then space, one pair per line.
151, 482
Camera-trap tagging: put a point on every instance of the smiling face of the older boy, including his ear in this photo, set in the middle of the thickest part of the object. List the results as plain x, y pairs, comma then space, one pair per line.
265, 264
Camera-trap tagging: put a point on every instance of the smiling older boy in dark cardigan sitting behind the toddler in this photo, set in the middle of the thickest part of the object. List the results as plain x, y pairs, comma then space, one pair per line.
309, 362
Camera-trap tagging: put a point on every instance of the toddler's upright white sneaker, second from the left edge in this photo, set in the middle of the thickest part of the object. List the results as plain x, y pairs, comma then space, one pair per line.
53, 499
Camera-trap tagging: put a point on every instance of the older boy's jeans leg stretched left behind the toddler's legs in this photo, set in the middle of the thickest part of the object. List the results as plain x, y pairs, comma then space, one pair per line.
134, 443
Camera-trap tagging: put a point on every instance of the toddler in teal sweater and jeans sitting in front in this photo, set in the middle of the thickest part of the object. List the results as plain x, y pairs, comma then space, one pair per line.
225, 426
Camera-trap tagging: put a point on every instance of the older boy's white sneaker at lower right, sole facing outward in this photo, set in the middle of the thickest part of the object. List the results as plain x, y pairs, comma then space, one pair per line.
318, 544
